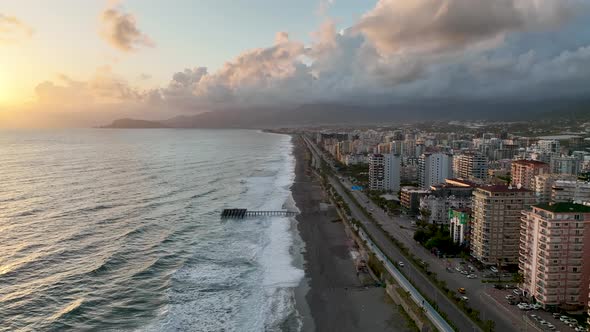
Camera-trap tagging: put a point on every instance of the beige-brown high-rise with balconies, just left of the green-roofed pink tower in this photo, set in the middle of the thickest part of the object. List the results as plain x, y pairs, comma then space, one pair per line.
495, 231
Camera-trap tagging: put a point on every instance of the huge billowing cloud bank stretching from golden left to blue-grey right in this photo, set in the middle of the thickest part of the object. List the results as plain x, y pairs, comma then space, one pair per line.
386, 58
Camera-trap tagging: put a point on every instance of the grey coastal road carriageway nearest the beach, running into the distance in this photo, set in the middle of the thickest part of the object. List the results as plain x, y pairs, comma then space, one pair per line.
382, 241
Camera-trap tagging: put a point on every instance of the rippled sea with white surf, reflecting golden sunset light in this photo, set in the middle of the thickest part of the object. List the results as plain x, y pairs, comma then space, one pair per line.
120, 230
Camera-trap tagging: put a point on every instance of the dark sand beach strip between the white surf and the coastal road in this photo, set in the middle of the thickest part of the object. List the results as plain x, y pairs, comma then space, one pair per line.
334, 297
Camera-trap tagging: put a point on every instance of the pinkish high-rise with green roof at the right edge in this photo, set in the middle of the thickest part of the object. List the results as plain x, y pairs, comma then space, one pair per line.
554, 254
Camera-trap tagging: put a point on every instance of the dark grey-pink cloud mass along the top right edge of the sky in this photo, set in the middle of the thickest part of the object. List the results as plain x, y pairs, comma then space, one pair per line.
434, 25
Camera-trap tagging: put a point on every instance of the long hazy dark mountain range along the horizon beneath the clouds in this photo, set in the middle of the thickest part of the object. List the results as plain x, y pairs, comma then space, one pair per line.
334, 114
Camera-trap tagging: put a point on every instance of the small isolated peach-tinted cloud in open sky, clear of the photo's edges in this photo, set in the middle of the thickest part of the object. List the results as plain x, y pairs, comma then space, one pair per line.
120, 31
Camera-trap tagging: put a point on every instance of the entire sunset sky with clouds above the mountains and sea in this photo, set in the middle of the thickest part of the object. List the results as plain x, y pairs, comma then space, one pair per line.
156, 59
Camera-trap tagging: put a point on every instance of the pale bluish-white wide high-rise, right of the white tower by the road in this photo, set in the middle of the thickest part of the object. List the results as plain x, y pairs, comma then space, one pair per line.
434, 168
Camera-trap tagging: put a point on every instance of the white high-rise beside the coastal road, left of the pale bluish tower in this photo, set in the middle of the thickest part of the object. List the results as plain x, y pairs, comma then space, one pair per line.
384, 172
